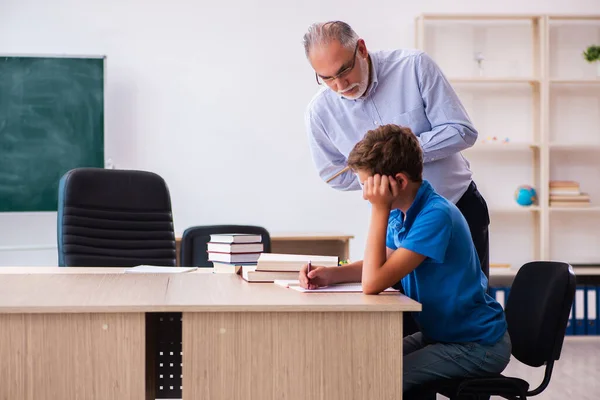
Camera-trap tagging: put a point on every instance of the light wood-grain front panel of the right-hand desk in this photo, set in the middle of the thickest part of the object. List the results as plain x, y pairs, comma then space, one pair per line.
292, 356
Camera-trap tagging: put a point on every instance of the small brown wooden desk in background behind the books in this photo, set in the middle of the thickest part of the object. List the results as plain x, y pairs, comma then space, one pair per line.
325, 244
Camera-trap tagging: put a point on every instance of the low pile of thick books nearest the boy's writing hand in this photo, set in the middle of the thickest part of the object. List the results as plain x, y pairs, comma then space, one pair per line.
272, 266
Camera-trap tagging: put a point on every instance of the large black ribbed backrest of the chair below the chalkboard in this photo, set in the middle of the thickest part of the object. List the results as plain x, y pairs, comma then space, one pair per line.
114, 218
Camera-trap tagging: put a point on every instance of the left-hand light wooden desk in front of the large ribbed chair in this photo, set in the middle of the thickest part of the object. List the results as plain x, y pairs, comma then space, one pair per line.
75, 336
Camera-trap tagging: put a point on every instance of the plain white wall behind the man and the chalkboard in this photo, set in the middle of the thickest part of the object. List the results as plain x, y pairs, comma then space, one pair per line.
211, 96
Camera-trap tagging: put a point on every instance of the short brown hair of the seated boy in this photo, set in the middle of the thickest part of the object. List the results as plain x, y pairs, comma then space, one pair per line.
388, 150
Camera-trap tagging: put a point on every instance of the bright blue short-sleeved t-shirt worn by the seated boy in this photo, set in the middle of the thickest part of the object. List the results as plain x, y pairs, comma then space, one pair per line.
449, 283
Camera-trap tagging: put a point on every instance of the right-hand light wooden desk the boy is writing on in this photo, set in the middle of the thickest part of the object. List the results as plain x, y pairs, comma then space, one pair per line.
260, 341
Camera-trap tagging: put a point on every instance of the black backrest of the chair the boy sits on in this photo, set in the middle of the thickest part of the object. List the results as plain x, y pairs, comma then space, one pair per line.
537, 311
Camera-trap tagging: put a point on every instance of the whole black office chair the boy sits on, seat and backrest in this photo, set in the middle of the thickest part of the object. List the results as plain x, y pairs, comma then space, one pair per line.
537, 312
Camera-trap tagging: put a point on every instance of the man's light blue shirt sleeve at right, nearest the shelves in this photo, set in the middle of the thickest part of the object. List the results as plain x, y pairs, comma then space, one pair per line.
451, 129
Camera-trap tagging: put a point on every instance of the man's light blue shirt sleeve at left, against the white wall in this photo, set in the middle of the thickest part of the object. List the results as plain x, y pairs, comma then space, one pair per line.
326, 157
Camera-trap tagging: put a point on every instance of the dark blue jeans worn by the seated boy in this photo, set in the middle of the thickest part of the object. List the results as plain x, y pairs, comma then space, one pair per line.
428, 361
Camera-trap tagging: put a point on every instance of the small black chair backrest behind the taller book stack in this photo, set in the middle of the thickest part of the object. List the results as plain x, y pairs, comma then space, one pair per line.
194, 240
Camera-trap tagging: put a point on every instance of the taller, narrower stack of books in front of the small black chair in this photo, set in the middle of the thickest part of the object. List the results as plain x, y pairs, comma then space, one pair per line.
229, 252
